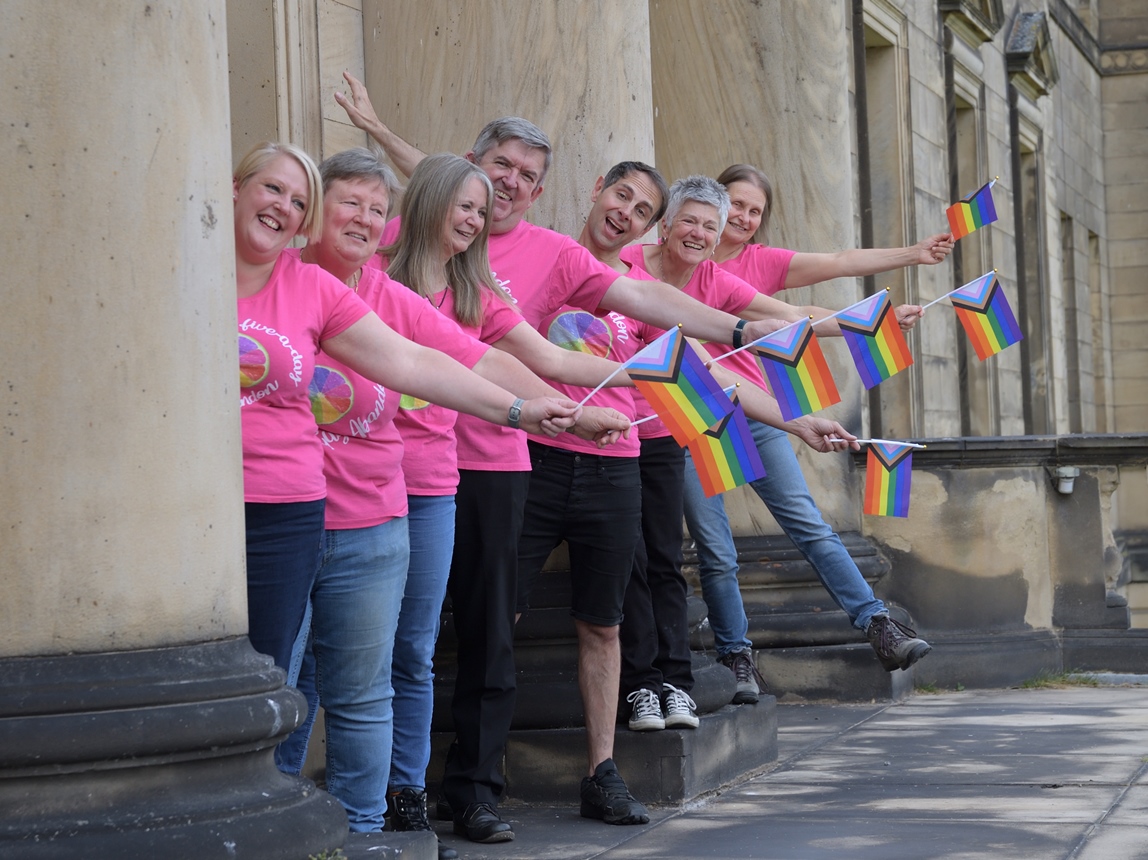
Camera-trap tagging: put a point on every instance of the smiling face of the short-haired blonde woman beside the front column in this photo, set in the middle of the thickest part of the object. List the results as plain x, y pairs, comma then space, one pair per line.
269, 210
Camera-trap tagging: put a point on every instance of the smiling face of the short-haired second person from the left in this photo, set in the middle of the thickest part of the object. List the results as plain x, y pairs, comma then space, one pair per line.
354, 215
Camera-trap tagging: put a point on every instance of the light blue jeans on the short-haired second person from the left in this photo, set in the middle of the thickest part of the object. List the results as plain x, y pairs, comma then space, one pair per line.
355, 607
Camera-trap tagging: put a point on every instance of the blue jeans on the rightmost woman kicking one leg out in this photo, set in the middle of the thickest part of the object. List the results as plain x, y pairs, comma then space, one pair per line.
786, 494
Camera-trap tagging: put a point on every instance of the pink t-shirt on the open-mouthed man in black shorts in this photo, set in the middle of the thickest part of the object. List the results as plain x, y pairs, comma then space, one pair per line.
612, 336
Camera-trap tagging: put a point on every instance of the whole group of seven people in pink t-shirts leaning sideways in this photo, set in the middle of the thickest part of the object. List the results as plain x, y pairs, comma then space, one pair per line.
412, 422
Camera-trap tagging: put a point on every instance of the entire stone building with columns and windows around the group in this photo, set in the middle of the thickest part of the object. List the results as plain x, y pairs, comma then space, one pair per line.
123, 549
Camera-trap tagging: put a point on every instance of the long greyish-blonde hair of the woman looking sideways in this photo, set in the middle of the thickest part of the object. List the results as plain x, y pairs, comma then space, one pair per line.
416, 258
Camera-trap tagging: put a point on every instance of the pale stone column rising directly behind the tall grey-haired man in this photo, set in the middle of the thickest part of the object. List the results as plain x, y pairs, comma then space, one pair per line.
438, 72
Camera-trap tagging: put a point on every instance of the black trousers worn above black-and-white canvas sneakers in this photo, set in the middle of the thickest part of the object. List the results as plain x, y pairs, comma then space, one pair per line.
655, 633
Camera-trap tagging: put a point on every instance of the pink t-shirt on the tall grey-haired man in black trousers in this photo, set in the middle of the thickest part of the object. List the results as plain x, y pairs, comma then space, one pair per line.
542, 272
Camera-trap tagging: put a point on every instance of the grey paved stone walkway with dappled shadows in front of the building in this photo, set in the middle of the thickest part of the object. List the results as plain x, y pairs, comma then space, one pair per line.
1058, 774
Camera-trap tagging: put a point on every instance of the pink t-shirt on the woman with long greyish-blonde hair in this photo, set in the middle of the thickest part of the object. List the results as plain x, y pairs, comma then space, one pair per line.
431, 458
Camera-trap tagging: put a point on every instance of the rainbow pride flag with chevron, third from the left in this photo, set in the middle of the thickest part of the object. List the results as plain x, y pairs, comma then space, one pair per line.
797, 370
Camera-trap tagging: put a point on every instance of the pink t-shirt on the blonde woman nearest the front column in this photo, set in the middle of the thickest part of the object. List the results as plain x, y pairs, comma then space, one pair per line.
281, 329
